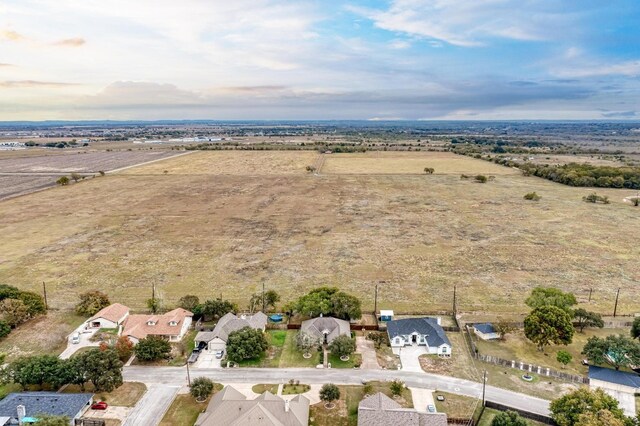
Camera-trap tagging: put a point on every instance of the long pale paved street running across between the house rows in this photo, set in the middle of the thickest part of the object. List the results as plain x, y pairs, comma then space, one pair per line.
177, 376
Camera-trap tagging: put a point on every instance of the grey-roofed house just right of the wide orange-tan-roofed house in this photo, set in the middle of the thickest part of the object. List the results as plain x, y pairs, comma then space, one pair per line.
216, 340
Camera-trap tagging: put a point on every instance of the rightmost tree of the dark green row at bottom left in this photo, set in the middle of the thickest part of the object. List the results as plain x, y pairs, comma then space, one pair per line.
102, 368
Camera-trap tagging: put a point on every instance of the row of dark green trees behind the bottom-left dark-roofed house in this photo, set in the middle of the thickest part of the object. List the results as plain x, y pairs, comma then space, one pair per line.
102, 368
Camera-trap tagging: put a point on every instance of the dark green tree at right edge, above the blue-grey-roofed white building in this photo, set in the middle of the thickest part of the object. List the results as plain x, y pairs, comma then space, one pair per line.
617, 351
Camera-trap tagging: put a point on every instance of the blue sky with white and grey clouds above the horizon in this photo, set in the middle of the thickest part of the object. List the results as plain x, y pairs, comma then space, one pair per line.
319, 59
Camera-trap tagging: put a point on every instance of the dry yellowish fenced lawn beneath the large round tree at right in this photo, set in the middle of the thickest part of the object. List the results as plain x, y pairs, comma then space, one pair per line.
518, 347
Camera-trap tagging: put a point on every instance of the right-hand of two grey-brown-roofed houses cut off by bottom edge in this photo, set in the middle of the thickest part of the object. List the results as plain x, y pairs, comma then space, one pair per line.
380, 410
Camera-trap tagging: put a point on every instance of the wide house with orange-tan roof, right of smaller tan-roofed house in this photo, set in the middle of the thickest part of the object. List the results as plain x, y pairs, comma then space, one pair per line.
172, 326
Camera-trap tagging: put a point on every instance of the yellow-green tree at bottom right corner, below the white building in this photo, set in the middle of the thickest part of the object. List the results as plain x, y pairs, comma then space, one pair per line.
567, 409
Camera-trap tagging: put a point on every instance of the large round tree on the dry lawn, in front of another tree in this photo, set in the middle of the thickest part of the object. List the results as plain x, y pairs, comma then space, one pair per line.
548, 325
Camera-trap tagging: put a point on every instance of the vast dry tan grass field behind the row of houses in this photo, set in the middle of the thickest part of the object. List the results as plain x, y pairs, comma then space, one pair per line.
214, 230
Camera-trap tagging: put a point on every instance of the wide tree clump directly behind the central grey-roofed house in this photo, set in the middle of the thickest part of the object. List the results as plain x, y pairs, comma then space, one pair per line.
329, 301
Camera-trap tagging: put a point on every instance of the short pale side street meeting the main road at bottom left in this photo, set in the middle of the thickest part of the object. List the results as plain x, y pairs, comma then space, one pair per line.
155, 402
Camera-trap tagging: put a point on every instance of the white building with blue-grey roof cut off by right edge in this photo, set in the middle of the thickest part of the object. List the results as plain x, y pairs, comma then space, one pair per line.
619, 384
